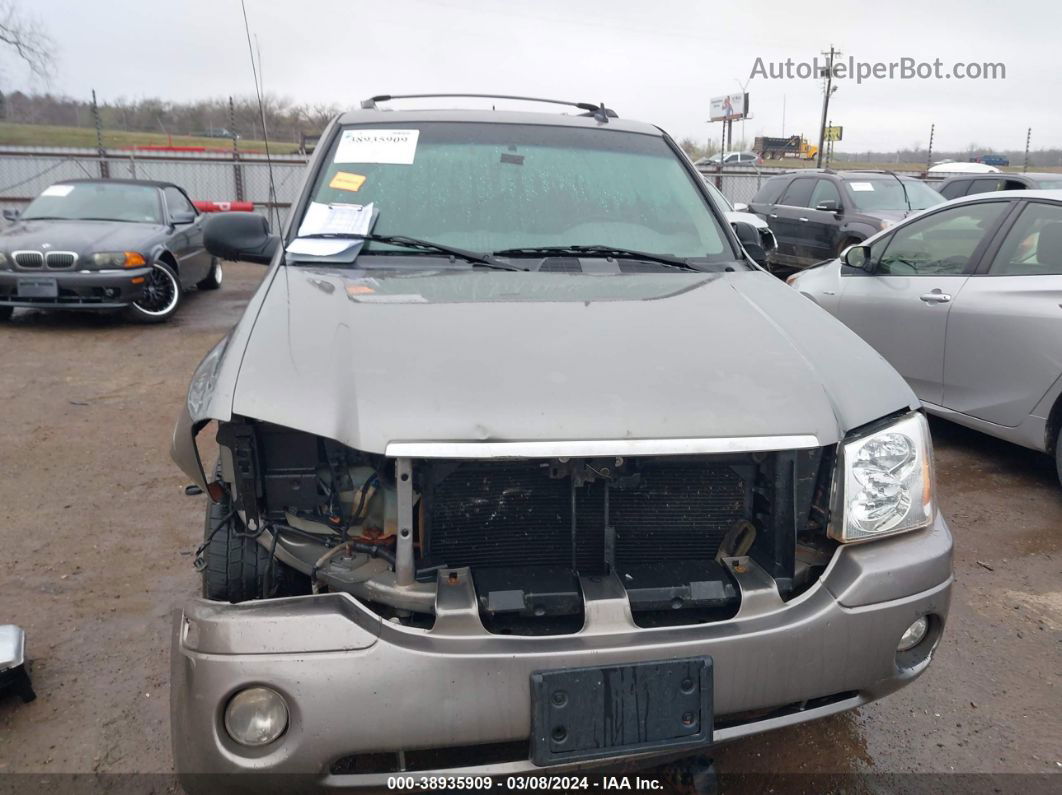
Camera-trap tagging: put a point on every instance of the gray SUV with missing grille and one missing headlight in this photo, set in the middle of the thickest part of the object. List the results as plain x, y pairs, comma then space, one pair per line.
526, 468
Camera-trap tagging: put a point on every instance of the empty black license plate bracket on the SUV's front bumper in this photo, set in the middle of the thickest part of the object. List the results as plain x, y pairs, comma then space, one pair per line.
581, 714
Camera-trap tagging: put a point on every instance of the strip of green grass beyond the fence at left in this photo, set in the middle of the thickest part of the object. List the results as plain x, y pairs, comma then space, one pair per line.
48, 135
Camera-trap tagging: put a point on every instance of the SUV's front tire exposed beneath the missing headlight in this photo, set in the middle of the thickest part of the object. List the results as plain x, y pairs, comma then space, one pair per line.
236, 568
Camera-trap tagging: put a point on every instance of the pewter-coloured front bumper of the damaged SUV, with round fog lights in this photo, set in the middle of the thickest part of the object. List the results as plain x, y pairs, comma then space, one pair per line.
356, 685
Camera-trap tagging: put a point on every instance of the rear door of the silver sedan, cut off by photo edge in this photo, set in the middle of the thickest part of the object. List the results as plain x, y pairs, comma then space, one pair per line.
1004, 347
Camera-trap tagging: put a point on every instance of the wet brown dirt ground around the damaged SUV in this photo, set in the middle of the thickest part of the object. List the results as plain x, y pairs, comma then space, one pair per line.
97, 538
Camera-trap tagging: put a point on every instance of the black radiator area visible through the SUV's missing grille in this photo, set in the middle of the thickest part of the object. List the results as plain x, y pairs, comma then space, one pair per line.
530, 529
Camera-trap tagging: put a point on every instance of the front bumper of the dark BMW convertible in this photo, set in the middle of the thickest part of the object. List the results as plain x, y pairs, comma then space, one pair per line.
77, 289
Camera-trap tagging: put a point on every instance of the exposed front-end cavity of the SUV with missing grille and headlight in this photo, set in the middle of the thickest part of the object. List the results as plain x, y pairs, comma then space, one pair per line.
675, 526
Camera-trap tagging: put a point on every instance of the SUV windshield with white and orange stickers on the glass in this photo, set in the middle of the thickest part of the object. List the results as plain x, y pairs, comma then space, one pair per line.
494, 187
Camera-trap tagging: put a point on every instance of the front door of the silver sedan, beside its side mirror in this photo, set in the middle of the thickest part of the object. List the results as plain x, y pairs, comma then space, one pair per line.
901, 306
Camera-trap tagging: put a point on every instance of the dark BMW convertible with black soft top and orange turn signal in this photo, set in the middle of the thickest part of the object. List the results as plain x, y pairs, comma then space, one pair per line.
106, 245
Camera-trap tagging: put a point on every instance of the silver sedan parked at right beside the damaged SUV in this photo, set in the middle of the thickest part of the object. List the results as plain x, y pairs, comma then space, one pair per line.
966, 301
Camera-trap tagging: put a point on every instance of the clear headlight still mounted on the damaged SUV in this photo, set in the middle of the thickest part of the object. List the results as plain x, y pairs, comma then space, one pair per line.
888, 482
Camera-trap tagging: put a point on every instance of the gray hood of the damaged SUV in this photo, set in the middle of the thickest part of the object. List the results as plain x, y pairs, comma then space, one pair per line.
369, 358
